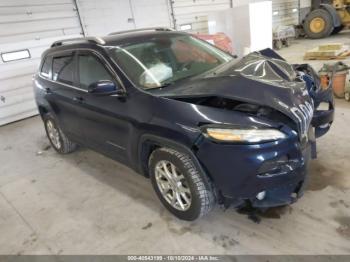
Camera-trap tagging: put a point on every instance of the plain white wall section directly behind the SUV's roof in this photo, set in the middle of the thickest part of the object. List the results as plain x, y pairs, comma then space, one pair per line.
105, 16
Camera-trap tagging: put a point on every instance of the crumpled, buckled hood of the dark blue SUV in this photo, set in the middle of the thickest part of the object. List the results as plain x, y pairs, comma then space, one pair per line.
256, 79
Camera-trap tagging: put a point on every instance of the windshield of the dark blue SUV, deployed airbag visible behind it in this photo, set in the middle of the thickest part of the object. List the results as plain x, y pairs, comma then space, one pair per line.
162, 60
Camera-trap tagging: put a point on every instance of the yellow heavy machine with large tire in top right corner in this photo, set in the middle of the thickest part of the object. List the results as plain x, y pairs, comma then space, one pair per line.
327, 17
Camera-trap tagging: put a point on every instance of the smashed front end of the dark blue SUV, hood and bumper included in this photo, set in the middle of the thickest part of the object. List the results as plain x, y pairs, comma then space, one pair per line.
263, 91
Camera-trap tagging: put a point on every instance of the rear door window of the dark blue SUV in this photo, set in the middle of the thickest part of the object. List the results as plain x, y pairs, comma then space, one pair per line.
63, 69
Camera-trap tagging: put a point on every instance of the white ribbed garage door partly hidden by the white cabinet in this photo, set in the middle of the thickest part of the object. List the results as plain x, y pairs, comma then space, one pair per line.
194, 14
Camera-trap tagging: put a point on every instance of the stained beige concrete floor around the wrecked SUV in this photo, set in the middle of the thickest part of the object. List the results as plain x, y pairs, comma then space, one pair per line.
84, 203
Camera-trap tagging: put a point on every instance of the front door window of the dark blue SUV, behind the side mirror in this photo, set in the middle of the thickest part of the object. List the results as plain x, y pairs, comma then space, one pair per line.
91, 70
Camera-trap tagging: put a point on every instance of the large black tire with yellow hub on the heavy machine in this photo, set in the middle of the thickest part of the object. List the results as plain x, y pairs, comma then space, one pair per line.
318, 24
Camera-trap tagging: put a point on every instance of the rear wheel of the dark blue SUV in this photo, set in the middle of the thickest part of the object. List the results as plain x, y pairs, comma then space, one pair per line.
61, 144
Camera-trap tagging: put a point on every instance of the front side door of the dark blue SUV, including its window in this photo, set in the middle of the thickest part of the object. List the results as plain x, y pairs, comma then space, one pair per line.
105, 128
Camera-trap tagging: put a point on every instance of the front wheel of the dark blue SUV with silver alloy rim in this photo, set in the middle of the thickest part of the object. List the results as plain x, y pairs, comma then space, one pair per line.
198, 186
